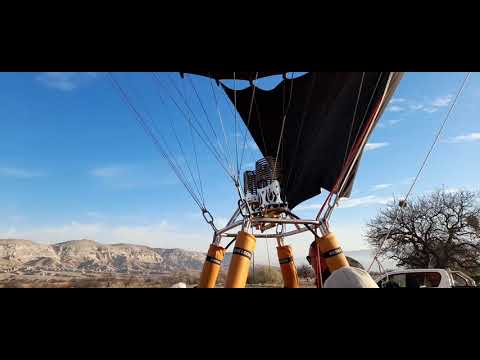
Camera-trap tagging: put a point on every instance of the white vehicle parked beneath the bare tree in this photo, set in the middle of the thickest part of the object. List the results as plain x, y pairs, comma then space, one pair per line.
424, 278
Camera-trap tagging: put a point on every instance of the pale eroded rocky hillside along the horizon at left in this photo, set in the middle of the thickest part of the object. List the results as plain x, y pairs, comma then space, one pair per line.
90, 256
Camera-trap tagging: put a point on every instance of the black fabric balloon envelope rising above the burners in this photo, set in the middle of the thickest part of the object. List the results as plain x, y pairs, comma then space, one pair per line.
319, 127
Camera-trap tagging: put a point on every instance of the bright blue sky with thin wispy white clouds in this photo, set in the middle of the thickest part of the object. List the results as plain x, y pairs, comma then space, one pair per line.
75, 164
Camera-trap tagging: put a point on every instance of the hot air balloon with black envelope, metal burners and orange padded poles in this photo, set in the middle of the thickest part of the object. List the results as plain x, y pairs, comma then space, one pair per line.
311, 131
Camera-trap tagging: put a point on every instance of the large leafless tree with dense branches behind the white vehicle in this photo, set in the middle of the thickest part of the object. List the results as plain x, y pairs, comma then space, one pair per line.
439, 230
